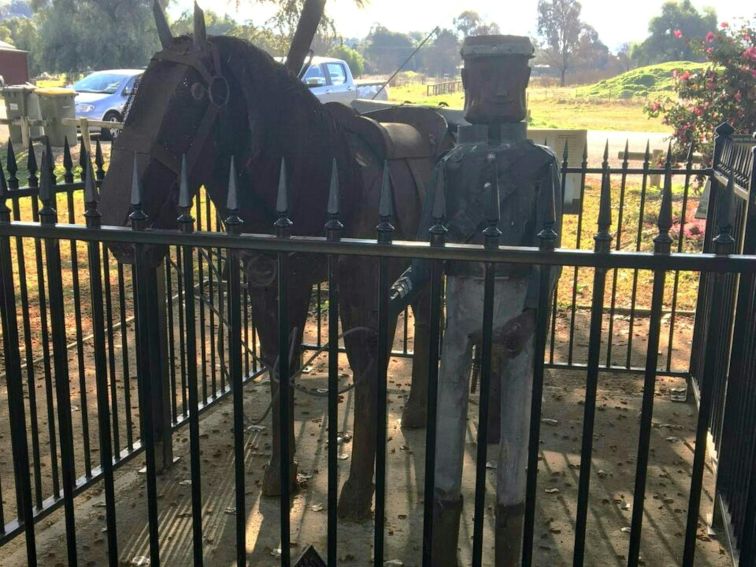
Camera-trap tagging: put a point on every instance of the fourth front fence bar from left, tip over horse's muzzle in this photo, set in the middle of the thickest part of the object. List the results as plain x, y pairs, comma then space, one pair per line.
145, 373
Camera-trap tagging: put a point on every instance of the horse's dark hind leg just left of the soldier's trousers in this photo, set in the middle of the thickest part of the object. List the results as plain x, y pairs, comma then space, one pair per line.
416, 409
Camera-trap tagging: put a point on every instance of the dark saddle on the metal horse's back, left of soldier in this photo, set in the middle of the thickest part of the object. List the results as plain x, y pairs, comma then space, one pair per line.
410, 140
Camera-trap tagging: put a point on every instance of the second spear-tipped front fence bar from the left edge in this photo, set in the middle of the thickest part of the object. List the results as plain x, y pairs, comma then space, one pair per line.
48, 217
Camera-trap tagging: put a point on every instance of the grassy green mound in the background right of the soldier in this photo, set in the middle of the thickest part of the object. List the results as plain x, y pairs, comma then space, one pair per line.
640, 82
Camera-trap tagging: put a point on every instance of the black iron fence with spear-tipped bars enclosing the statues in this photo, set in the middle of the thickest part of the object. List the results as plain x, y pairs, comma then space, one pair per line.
70, 332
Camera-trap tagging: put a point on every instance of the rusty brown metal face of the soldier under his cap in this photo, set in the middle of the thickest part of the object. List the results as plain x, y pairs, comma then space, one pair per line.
495, 89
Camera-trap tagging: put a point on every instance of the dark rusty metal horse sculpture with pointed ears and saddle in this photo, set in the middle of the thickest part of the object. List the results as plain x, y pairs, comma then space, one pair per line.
211, 98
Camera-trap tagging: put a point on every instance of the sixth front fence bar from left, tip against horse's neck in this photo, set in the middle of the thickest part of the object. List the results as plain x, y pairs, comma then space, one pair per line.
234, 227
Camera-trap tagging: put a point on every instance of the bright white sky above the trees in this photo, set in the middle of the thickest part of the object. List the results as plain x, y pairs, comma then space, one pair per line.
617, 22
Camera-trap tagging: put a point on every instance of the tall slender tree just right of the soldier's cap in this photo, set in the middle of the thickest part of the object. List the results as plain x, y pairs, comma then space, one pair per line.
560, 26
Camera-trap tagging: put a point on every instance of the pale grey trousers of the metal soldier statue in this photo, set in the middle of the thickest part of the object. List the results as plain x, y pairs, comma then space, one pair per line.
464, 315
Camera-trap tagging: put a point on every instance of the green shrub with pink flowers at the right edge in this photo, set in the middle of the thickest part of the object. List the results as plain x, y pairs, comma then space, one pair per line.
724, 91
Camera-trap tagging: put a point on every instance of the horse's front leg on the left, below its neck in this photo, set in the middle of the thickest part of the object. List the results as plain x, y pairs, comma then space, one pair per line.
264, 303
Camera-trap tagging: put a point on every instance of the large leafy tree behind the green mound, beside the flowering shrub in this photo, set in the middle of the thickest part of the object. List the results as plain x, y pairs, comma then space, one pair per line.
674, 34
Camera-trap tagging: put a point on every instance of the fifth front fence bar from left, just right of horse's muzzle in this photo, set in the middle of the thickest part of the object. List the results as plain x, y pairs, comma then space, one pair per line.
186, 223
